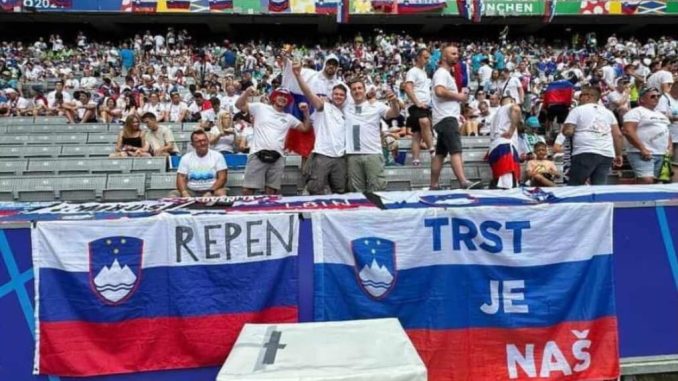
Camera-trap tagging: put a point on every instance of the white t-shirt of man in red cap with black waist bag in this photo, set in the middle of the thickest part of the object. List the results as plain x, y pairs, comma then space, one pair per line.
270, 127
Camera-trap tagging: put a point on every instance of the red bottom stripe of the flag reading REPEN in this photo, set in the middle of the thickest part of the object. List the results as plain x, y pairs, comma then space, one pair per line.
86, 349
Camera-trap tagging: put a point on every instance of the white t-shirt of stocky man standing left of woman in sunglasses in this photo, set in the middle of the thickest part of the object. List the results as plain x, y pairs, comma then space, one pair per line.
593, 129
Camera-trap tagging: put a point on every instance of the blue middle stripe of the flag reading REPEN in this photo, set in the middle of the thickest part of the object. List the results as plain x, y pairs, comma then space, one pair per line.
194, 290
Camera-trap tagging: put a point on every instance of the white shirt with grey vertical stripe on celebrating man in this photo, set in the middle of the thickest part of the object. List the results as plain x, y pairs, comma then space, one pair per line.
363, 127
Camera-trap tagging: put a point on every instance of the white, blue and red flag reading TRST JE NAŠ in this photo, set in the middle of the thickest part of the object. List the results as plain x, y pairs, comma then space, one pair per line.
517, 293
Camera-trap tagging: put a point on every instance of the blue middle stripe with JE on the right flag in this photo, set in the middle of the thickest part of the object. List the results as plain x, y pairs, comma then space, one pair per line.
449, 297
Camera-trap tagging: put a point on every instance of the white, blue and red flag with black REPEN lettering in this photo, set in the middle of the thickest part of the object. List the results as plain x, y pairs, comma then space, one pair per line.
154, 293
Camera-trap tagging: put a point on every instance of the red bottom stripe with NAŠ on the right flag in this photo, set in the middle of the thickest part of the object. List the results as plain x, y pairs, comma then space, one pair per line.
482, 353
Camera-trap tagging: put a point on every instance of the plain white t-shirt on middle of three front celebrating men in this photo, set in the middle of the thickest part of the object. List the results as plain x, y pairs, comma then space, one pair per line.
330, 134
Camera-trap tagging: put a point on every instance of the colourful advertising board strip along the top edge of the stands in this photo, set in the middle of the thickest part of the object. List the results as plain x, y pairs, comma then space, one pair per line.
465, 8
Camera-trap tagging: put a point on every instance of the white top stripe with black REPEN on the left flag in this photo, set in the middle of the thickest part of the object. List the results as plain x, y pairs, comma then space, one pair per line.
170, 240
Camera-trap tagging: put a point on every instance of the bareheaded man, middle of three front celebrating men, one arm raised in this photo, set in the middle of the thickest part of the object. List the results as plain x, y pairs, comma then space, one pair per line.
326, 167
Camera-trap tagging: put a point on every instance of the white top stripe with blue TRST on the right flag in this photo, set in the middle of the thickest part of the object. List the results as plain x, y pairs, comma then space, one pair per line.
504, 236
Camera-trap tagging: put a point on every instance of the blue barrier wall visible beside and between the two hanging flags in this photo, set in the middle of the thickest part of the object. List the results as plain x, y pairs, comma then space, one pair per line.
645, 265
